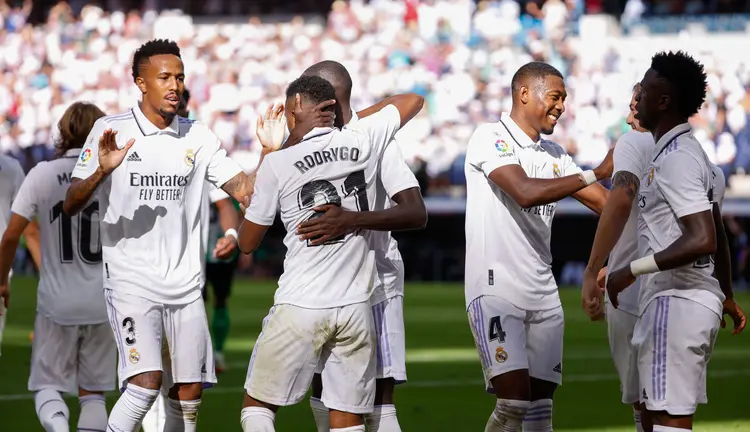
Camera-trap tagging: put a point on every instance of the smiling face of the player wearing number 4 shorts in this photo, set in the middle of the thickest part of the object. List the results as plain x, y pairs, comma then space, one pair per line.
548, 103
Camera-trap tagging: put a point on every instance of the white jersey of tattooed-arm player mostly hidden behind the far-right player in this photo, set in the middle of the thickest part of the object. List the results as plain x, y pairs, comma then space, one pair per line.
632, 154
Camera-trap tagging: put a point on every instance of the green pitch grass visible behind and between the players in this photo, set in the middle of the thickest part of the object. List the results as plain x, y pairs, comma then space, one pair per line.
445, 390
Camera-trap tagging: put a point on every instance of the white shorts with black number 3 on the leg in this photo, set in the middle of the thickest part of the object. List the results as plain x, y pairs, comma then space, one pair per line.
138, 325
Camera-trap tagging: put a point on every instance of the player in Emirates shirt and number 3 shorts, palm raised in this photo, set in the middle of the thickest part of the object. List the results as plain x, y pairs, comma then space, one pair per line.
147, 166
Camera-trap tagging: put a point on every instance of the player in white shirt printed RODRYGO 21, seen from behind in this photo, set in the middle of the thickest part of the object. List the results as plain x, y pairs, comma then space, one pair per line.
322, 303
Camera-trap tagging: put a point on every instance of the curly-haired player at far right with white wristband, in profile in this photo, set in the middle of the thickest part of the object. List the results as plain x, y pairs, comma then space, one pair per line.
680, 301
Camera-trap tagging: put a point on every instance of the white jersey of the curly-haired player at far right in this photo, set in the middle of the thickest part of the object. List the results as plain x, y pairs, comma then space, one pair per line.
678, 182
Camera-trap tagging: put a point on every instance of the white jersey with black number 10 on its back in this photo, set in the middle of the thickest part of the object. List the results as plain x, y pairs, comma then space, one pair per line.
70, 283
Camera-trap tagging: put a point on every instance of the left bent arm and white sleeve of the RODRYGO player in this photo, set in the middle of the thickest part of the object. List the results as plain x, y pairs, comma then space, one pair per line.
261, 211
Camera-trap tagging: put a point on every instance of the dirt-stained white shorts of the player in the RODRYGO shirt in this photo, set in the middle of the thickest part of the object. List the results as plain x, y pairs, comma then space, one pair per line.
292, 342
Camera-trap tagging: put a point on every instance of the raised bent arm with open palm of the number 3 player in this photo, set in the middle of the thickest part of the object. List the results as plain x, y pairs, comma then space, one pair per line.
104, 155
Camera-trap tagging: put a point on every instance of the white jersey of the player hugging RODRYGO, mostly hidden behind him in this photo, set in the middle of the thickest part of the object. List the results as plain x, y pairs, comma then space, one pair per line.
394, 176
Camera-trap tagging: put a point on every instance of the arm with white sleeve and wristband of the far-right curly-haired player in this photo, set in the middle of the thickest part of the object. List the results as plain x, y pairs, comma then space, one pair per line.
681, 181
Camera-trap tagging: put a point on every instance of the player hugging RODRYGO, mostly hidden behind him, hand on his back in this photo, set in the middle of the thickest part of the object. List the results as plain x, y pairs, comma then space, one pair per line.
398, 206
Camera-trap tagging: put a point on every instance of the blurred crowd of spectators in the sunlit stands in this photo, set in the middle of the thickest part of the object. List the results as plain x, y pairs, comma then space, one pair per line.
458, 53
